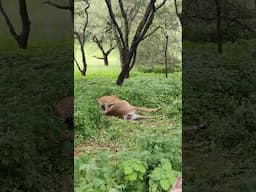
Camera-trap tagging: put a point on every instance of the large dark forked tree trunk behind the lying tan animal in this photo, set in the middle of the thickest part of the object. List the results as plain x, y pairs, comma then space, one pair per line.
126, 49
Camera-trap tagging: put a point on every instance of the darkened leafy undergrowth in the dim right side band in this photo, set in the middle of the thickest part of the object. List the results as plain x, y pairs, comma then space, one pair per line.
220, 90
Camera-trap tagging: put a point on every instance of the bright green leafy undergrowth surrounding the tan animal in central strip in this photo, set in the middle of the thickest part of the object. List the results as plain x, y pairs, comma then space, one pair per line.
117, 155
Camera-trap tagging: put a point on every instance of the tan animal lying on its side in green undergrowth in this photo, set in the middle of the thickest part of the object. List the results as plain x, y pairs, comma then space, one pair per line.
113, 106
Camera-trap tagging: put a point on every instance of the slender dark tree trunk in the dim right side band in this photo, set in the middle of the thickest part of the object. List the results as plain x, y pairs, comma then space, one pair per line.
218, 26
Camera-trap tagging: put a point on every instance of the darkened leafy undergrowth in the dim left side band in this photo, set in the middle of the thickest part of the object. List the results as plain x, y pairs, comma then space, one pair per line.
31, 81
